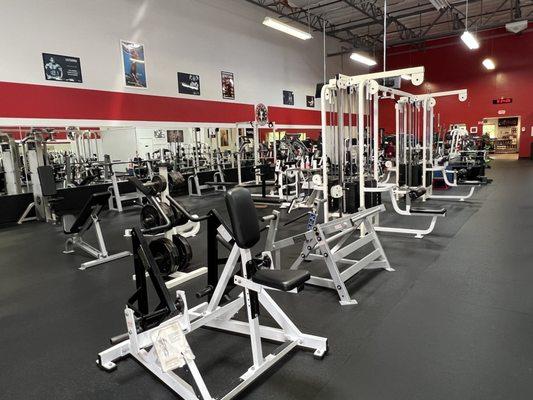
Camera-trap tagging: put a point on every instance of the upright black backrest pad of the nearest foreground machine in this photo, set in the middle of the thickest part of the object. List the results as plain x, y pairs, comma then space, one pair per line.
243, 217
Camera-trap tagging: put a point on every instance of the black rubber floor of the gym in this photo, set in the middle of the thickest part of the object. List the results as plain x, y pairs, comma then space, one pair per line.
455, 321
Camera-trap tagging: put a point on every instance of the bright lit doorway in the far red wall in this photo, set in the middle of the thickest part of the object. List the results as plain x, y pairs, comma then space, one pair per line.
504, 133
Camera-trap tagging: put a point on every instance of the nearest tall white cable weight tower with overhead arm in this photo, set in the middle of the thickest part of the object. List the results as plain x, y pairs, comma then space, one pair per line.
359, 96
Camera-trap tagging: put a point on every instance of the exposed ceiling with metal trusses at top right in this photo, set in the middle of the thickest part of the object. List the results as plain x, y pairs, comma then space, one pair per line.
358, 24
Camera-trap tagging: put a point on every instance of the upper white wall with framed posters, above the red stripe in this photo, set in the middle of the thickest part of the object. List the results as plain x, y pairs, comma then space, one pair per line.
203, 37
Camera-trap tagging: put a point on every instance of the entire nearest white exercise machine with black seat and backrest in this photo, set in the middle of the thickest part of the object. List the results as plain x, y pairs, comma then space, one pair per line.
146, 328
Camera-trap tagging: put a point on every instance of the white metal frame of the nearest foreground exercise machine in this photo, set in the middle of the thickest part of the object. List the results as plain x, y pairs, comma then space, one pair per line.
213, 314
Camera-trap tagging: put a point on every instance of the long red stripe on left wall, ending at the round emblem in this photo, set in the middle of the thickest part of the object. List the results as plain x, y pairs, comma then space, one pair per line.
19, 100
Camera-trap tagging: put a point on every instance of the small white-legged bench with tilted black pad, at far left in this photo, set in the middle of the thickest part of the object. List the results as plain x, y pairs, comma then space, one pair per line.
76, 226
